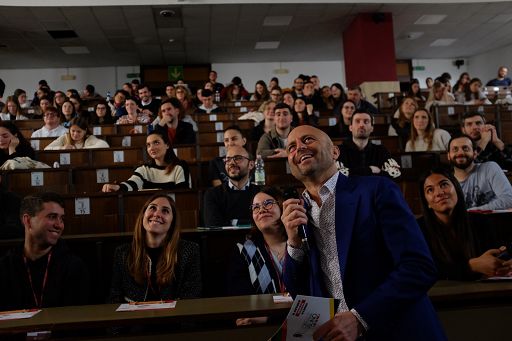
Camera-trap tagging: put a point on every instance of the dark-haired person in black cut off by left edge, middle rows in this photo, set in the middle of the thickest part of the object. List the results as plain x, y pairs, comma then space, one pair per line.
12, 143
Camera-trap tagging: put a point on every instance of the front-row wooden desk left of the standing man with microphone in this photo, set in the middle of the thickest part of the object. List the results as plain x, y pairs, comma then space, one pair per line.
187, 311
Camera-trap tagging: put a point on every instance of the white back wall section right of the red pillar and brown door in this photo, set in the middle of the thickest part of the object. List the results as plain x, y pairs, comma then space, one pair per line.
435, 67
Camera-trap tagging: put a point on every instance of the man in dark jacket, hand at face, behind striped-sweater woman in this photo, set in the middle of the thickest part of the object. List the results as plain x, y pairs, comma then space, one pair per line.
169, 122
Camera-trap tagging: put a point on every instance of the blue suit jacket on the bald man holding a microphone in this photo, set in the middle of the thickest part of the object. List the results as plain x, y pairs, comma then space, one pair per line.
385, 264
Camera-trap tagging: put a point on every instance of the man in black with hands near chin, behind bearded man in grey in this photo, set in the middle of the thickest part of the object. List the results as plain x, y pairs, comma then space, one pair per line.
486, 138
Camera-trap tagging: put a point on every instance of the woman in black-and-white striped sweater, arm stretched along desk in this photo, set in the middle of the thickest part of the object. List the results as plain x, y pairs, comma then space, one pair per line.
163, 171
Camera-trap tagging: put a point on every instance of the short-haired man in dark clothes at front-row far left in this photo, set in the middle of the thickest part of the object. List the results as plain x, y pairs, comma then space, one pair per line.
42, 272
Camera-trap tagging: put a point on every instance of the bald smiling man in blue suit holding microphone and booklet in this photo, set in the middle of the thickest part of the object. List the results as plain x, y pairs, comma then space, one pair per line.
363, 247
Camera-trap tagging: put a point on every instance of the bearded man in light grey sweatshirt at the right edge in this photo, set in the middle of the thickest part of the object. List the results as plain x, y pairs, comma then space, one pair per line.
485, 186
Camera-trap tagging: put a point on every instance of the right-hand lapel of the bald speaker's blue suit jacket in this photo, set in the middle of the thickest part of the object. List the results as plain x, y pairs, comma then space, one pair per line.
346, 206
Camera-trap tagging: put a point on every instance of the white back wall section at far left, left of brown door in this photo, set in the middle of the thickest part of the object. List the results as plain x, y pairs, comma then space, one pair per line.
104, 79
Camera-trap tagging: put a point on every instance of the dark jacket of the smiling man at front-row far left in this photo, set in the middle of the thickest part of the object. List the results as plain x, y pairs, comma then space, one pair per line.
67, 283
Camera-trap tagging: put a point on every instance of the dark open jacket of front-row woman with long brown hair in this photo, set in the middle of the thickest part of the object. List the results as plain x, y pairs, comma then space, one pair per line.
185, 284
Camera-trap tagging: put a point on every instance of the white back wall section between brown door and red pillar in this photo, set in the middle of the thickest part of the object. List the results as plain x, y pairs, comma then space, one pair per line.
328, 71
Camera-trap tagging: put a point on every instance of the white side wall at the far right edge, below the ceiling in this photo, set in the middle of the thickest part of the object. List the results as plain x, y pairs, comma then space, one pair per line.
485, 66
